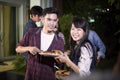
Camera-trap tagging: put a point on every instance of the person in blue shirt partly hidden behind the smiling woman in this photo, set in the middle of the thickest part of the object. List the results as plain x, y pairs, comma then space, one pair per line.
98, 45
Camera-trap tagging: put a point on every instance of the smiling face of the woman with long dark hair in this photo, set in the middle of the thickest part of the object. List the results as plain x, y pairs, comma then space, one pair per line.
76, 33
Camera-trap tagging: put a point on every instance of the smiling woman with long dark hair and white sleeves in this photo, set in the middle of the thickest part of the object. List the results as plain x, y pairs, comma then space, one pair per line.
81, 59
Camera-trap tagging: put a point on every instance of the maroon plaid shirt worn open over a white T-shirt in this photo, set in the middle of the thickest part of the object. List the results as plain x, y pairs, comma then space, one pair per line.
40, 67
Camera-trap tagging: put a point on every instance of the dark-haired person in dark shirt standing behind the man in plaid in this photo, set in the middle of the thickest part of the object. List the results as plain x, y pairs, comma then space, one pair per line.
36, 15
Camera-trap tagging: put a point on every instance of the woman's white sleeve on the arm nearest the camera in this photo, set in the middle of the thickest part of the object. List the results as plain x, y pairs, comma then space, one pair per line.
85, 62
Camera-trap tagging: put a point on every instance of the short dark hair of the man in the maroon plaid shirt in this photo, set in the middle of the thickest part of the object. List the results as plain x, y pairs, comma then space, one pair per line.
50, 10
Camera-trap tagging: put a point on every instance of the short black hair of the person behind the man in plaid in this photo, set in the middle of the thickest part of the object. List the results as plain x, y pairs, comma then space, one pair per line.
36, 10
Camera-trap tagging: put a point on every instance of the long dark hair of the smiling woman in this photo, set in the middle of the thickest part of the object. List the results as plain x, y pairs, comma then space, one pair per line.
79, 22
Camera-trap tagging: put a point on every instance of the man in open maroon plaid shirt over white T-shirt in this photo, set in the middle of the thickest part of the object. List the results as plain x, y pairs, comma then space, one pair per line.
40, 67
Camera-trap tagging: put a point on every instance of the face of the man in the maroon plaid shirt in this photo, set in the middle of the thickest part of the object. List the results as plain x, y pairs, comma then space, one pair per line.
50, 21
